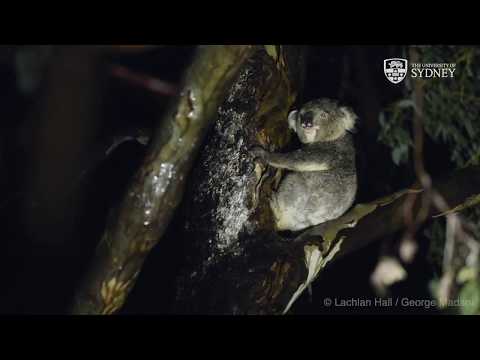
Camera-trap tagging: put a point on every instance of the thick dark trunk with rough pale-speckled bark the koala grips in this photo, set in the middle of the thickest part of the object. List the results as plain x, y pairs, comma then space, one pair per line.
227, 207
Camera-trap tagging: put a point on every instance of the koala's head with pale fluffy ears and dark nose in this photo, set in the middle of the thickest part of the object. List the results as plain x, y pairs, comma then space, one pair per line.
321, 120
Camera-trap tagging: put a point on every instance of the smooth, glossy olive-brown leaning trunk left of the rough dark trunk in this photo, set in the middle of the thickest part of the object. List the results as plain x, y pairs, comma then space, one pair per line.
156, 190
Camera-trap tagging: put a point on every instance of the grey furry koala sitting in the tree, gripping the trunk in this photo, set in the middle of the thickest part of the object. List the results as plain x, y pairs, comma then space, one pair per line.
322, 182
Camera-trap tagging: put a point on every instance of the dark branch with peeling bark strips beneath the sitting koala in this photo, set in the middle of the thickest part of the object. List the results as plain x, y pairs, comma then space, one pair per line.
293, 269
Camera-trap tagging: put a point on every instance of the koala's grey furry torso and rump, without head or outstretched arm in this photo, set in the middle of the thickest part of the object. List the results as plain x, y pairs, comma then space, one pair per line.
309, 198
